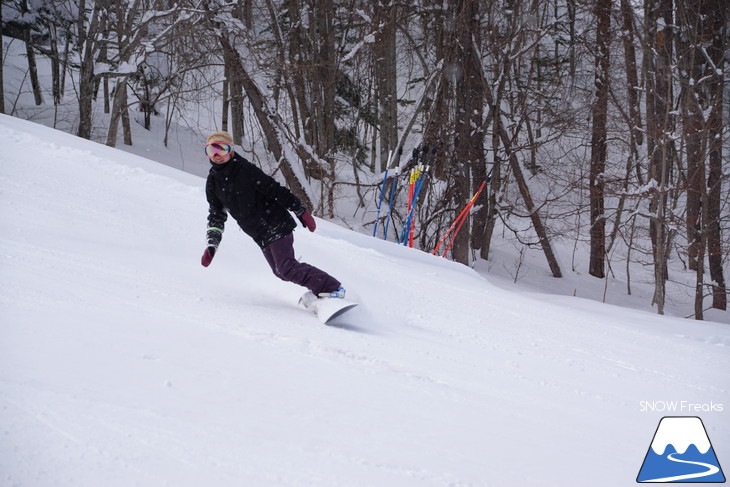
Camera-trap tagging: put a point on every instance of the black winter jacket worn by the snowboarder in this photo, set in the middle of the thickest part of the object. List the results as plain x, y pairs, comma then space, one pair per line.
254, 199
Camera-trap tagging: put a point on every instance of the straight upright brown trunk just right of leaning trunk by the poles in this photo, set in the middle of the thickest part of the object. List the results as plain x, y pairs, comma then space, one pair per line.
598, 142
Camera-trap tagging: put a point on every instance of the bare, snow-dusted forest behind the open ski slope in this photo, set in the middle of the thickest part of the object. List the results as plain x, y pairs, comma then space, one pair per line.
596, 125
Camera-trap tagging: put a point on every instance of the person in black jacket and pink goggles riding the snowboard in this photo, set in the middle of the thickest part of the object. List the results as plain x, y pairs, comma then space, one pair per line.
259, 205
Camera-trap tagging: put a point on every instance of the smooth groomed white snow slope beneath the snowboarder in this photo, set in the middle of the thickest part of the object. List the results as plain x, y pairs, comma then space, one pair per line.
124, 362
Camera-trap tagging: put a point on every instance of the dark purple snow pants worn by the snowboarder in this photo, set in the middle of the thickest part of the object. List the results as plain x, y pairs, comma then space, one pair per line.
280, 256
